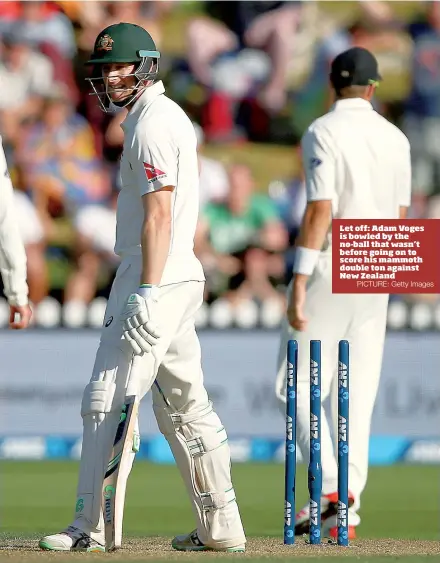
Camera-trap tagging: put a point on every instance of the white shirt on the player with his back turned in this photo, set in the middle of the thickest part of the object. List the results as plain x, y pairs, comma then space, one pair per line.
359, 160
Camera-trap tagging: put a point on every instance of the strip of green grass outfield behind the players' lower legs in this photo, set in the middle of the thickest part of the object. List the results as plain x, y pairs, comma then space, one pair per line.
38, 497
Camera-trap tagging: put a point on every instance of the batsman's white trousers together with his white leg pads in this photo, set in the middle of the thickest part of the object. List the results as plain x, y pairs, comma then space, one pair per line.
181, 405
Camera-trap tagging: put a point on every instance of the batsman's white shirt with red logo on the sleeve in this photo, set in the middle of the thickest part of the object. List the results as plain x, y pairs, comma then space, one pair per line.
160, 150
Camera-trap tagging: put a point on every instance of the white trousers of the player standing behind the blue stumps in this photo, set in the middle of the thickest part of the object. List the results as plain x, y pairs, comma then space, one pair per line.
360, 319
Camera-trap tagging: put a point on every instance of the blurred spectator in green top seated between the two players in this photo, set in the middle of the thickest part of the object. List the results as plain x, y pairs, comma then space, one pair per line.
242, 240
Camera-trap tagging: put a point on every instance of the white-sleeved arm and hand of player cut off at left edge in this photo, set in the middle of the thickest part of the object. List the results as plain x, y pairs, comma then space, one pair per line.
12, 253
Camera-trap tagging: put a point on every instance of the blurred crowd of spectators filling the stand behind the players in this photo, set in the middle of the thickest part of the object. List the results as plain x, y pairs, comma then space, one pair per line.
248, 73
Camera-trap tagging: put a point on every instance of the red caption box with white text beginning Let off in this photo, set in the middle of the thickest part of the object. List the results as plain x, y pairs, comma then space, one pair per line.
386, 256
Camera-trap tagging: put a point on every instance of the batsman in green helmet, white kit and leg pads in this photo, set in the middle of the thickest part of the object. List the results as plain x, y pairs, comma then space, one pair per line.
149, 333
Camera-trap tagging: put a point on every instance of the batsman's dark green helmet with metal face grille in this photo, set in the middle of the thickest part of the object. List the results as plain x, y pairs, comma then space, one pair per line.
123, 43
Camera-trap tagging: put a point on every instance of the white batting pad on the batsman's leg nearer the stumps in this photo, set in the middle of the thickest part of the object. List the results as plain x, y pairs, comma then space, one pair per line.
199, 443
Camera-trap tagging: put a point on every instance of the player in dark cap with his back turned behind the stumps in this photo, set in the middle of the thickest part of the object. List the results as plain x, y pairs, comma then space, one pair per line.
357, 165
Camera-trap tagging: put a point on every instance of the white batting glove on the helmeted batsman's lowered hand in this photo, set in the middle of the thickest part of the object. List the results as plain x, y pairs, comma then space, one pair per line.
138, 327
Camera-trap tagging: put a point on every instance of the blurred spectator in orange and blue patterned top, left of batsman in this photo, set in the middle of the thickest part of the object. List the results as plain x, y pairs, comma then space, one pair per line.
63, 174
